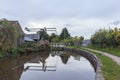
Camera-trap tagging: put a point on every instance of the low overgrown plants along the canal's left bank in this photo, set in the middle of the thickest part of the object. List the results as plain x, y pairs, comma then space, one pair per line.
26, 48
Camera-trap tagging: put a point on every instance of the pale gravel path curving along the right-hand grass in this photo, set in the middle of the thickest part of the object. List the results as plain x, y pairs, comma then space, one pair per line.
114, 58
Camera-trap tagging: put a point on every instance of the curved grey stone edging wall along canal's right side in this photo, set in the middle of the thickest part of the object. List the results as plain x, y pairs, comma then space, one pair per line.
93, 60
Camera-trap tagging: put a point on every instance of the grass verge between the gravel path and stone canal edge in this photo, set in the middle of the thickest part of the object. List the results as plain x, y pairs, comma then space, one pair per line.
110, 69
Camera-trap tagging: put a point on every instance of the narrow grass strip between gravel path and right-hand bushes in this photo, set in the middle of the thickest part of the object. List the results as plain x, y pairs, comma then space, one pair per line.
111, 50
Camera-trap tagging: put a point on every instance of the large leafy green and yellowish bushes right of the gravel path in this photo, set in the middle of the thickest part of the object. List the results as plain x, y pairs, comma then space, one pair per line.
106, 38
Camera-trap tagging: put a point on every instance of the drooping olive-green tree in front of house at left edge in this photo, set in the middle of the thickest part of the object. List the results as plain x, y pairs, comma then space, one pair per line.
9, 35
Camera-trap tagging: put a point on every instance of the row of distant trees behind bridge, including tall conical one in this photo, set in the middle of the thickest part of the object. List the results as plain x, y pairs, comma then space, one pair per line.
65, 37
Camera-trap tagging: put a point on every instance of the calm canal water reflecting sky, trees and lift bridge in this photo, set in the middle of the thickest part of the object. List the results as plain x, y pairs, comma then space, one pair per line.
47, 66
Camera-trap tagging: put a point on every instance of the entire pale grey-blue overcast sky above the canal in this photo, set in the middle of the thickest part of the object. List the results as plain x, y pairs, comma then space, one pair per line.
81, 17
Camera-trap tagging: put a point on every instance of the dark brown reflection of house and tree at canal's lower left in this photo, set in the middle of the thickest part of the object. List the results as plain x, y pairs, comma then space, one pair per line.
8, 72
